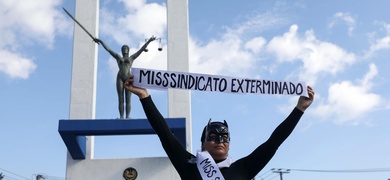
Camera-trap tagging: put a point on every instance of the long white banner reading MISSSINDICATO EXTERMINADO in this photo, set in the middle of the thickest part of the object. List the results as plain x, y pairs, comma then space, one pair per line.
157, 79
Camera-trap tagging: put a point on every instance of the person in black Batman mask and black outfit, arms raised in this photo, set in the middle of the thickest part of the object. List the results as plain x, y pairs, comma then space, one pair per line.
215, 139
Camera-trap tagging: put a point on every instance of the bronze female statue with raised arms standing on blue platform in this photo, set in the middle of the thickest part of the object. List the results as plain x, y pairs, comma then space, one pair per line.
124, 62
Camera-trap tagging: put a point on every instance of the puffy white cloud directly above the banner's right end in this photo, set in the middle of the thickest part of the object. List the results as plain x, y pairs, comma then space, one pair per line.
317, 56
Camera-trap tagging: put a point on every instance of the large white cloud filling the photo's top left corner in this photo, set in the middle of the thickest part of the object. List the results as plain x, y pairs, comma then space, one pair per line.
37, 21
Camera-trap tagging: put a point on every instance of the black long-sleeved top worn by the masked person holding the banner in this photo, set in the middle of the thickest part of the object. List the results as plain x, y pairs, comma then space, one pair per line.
245, 168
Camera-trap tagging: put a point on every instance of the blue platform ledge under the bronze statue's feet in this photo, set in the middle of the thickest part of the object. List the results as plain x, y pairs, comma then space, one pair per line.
74, 132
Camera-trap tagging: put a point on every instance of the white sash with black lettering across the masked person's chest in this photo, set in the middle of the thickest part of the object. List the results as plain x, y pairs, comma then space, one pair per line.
207, 167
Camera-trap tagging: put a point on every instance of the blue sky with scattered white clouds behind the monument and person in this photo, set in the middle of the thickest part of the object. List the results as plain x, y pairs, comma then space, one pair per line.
340, 48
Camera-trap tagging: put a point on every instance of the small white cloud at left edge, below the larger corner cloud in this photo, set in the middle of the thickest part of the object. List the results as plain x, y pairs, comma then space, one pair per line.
16, 66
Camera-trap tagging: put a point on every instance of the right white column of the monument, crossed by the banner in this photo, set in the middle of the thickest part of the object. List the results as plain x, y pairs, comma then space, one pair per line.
179, 101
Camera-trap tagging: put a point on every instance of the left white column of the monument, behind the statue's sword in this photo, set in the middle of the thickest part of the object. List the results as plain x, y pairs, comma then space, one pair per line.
84, 69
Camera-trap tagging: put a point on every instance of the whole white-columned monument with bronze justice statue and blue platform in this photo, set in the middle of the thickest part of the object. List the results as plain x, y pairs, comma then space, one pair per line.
79, 130
